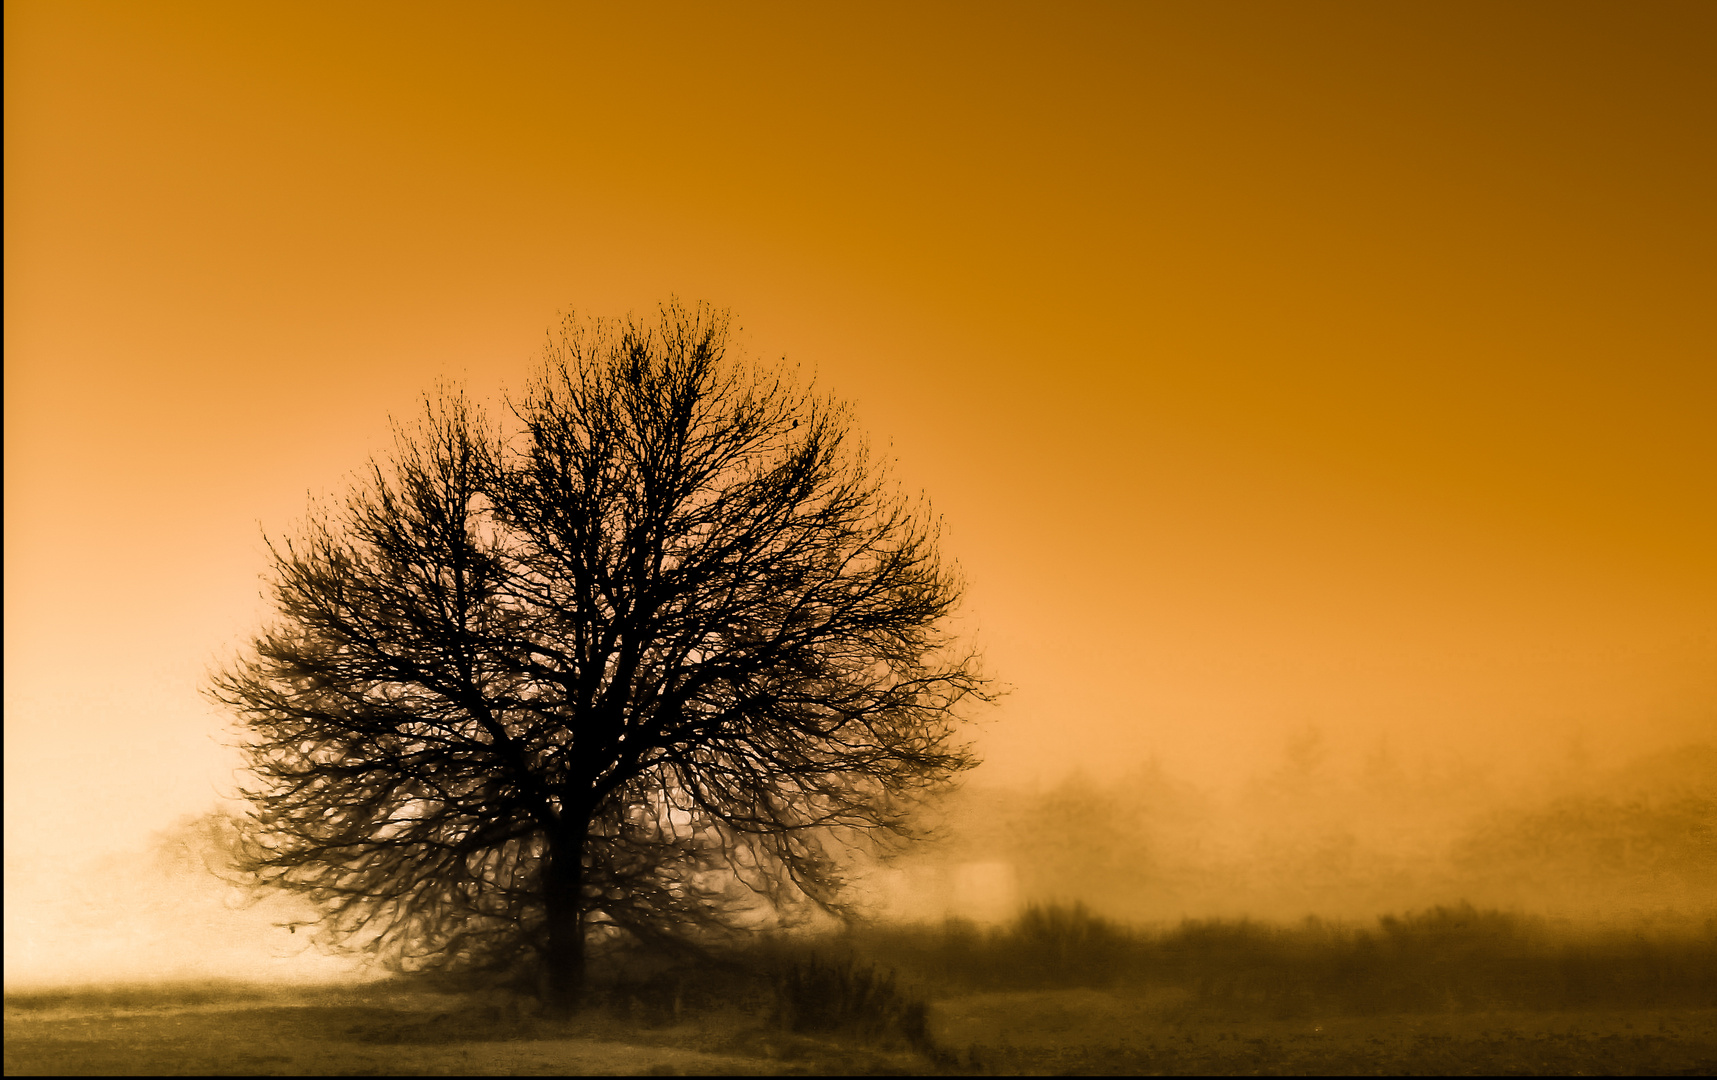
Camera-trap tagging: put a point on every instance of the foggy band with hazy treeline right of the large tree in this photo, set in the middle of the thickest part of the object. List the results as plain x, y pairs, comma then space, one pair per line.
1307, 839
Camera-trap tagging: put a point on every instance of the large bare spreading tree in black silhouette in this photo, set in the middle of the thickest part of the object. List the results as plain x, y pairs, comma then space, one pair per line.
648, 665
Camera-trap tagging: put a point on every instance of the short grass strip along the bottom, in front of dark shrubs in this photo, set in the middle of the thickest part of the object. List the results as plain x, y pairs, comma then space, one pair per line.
353, 1031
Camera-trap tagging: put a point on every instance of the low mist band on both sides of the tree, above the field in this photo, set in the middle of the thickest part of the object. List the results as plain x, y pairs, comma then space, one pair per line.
1586, 844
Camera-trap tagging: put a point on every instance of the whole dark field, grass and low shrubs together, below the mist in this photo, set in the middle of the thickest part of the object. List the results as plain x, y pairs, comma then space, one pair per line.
1057, 993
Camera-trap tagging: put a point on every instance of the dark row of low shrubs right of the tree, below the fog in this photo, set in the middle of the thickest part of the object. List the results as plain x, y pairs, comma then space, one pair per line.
1445, 959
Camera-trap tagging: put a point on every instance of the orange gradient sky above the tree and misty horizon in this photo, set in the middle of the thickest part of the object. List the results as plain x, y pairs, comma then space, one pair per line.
1271, 365
